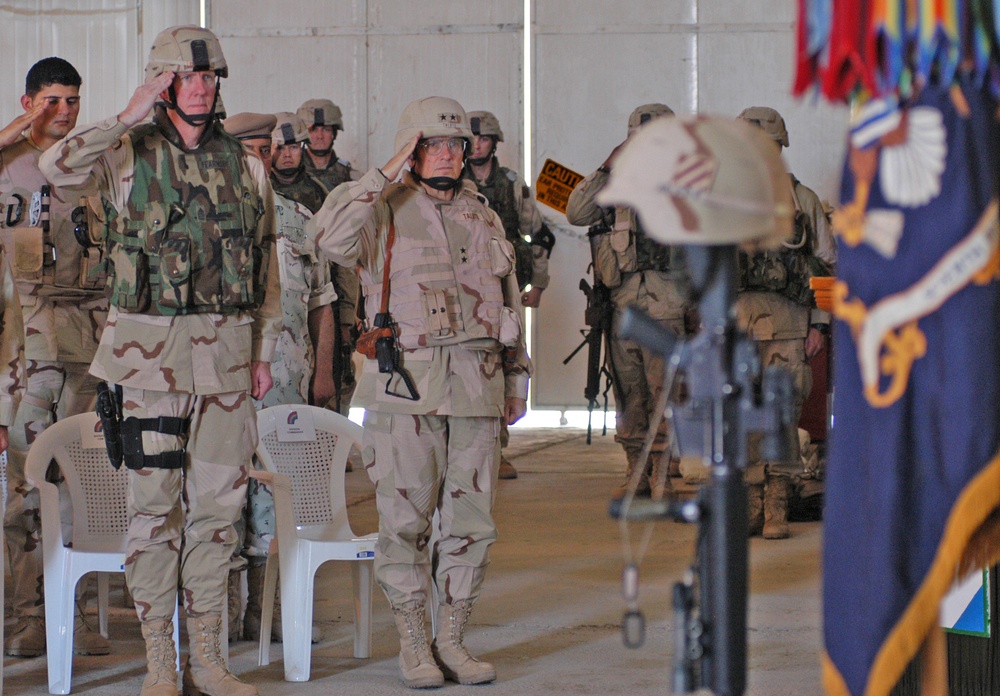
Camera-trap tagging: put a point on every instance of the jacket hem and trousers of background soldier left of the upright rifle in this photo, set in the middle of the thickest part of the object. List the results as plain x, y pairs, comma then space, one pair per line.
637, 373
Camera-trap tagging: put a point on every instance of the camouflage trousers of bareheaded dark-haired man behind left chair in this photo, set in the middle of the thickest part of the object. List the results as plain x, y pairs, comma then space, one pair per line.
55, 390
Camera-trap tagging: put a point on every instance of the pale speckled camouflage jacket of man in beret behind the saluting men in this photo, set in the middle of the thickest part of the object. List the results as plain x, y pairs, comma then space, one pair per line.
305, 286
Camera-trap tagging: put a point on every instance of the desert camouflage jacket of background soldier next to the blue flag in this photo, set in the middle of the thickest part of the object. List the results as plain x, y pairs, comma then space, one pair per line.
770, 316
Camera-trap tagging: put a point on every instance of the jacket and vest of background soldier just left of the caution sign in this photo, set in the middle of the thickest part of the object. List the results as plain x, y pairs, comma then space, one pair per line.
518, 205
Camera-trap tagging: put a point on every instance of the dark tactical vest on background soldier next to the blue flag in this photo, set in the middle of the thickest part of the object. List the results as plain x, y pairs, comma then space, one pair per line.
785, 270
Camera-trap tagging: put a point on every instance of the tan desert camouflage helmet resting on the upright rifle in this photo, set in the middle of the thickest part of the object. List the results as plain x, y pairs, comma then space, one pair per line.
703, 180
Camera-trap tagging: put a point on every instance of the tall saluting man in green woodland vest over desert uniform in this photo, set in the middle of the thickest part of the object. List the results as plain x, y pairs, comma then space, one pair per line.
190, 337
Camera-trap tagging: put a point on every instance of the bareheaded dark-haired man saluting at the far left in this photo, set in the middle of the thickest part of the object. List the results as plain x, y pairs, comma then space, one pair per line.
64, 309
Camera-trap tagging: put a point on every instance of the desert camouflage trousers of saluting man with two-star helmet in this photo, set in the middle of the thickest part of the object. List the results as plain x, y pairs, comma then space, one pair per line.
435, 483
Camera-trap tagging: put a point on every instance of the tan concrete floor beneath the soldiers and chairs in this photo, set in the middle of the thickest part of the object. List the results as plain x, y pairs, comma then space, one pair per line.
549, 615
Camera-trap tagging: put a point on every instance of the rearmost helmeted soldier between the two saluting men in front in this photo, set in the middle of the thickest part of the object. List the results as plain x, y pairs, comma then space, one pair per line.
324, 120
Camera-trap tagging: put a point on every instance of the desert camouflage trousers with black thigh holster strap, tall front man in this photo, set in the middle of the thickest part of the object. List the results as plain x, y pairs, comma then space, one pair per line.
181, 533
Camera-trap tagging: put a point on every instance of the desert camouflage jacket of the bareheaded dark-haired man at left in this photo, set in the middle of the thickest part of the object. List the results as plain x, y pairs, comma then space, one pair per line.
46, 338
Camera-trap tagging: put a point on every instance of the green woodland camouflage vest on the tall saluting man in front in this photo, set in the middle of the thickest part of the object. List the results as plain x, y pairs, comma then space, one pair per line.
188, 240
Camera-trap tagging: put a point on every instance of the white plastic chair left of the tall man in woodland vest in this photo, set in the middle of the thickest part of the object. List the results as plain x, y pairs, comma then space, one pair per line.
100, 520
